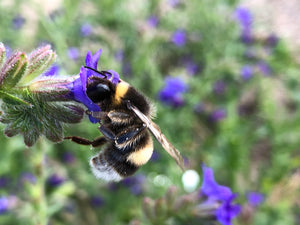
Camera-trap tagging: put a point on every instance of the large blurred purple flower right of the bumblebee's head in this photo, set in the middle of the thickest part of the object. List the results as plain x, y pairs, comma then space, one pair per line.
172, 93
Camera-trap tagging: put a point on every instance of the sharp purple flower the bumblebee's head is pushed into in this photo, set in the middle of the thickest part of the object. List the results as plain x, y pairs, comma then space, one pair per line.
79, 86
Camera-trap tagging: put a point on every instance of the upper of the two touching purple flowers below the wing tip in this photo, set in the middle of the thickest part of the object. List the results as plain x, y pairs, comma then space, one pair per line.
211, 188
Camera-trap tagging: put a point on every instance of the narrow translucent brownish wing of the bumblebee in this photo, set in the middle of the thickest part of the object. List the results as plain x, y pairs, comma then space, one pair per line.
160, 137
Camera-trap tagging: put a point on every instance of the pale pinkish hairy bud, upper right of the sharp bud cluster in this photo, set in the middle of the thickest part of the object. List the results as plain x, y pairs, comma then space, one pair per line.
40, 60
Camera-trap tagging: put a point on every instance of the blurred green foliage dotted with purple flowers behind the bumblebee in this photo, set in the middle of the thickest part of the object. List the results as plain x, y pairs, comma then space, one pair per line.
239, 114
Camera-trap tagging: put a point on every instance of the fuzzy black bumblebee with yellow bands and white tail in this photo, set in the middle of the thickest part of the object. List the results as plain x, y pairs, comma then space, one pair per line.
125, 121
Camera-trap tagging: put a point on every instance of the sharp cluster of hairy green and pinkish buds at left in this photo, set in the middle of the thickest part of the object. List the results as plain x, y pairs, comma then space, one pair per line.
35, 110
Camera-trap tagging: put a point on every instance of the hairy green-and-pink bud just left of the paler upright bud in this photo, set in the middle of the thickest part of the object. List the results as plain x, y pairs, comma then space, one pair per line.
13, 70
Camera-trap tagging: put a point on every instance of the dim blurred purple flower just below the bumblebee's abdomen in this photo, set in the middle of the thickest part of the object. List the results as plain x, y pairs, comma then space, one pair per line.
135, 184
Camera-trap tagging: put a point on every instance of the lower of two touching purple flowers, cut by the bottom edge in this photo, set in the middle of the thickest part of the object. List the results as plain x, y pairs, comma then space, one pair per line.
227, 211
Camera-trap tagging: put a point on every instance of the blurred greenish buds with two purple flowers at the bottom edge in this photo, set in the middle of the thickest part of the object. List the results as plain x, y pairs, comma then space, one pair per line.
212, 201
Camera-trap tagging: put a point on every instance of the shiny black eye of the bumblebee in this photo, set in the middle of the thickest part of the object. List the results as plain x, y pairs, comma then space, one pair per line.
98, 92
